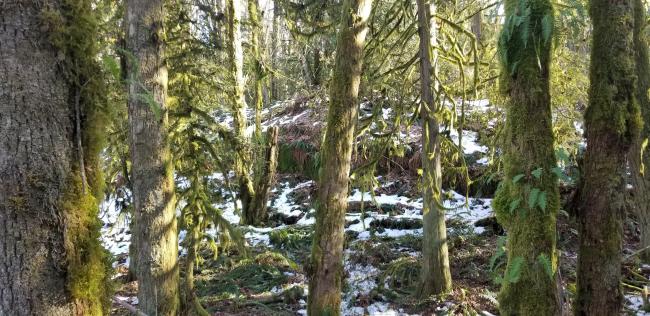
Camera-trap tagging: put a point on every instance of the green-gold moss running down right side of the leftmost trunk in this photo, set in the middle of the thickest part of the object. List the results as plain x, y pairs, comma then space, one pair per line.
72, 29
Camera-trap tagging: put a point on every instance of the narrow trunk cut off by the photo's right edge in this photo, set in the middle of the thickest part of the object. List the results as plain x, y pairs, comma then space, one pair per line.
640, 156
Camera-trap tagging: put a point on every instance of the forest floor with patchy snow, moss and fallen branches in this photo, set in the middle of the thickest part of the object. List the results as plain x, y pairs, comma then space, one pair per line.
382, 252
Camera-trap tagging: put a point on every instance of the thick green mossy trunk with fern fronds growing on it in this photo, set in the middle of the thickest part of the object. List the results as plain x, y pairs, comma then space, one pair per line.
527, 201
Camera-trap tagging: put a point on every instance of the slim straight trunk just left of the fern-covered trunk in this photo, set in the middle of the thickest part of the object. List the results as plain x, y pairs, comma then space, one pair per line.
436, 276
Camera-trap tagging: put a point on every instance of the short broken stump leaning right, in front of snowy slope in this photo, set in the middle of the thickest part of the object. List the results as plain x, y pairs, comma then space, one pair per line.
266, 179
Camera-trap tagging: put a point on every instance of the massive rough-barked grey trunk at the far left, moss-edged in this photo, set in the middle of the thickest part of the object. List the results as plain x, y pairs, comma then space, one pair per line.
51, 261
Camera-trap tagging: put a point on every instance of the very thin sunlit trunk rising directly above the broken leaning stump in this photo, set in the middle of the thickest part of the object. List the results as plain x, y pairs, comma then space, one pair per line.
258, 68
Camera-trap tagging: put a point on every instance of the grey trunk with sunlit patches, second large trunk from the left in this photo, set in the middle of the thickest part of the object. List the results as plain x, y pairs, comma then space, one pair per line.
152, 171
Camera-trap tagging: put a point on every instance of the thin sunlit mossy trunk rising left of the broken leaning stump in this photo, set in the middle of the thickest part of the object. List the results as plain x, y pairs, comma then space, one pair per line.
238, 106
